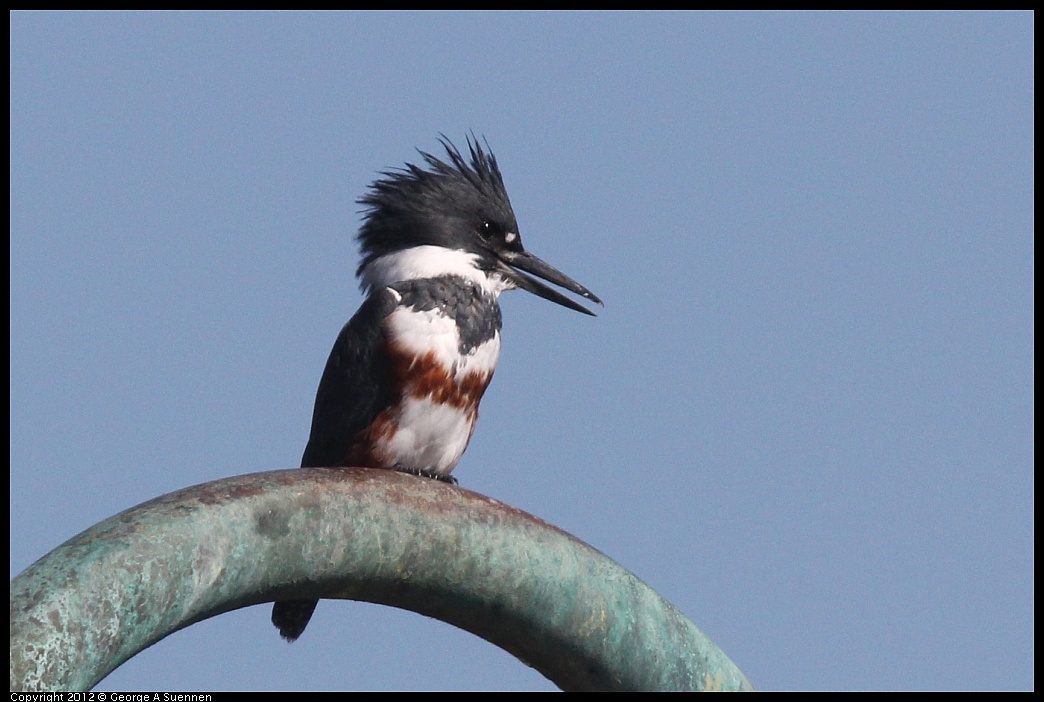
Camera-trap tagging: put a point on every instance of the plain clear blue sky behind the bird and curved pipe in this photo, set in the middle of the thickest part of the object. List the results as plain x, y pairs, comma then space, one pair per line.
805, 415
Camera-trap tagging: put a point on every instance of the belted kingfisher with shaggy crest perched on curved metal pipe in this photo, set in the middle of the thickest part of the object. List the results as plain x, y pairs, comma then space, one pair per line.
402, 385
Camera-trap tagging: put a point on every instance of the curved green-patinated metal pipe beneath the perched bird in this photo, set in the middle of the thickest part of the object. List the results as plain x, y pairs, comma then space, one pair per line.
378, 536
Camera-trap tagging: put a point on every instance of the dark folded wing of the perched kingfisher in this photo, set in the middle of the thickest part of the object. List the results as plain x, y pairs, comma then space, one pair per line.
354, 388
